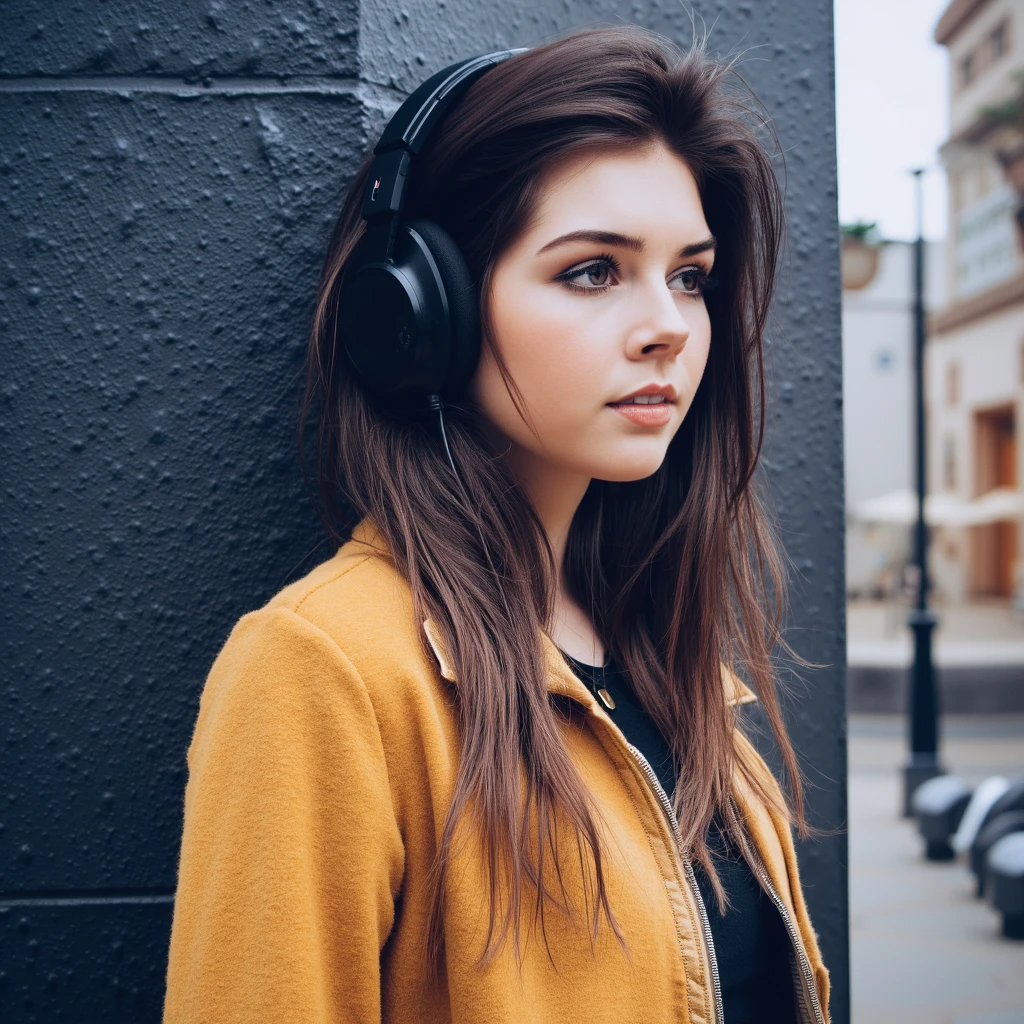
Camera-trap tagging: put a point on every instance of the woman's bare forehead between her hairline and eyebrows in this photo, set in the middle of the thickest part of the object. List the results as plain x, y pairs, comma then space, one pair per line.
650, 192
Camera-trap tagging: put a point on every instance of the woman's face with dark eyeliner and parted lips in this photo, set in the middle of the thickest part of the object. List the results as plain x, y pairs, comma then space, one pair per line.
600, 300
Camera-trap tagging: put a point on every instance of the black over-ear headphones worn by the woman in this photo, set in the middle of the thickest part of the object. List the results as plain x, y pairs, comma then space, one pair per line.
408, 312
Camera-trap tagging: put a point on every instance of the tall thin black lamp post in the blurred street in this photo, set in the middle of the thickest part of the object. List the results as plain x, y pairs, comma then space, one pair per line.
924, 710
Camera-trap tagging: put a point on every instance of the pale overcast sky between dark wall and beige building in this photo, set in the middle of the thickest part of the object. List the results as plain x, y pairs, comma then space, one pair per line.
891, 112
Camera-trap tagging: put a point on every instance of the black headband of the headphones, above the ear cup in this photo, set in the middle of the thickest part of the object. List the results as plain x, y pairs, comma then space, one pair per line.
409, 131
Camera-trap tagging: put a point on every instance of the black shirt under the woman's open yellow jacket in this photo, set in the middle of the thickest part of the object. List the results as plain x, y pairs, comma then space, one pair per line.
751, 944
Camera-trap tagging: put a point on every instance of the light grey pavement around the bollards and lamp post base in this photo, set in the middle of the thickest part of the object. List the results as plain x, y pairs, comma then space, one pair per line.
924, 951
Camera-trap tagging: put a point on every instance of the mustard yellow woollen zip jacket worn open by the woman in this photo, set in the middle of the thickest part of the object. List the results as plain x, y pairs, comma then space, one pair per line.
323, 762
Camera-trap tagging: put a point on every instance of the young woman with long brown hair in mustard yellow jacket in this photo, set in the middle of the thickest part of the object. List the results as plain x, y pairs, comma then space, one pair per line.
485, 764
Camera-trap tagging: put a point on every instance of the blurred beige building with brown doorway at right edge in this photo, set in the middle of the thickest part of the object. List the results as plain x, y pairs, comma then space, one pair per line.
975, 360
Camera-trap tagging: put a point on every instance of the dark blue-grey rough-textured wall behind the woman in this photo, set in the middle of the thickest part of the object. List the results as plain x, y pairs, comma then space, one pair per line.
168, 174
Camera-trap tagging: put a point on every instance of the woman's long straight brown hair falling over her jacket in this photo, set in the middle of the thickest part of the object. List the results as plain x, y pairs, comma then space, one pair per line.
680, 570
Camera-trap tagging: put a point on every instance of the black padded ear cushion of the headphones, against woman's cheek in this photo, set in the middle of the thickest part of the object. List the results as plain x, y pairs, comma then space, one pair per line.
464, 314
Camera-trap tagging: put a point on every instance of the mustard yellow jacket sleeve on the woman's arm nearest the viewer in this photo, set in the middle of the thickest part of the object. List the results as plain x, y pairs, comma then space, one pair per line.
291, 855
